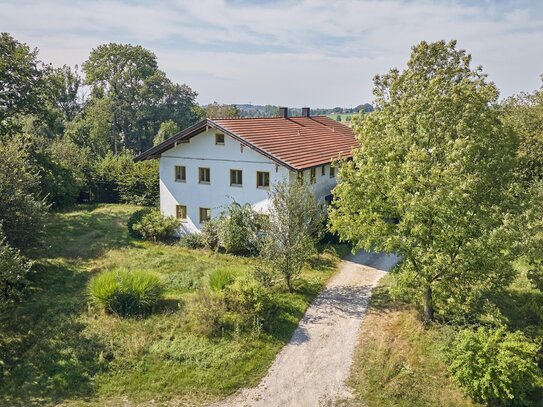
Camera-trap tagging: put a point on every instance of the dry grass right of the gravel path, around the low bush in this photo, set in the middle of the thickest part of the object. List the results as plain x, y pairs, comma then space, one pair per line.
399, 363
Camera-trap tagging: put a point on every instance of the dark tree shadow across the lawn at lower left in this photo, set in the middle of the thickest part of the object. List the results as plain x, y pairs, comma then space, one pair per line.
48, 357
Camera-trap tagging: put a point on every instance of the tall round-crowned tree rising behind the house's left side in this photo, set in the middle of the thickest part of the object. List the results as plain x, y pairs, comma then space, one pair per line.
140, 95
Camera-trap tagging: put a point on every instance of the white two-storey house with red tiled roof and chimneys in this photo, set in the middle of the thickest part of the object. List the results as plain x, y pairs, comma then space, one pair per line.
216, 161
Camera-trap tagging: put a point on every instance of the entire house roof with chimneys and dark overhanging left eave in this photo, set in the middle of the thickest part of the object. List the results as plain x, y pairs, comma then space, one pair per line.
296, 142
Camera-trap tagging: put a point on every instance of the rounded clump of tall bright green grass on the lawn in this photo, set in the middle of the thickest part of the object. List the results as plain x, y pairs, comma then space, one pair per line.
126, 293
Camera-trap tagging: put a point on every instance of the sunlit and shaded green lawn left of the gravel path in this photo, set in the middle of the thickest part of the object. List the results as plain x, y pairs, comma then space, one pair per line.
56, 349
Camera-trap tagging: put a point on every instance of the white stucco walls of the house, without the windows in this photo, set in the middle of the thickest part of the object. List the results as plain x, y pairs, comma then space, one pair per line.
202, 151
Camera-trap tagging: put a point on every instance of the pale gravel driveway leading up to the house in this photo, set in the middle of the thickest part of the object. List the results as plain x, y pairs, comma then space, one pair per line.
312, 369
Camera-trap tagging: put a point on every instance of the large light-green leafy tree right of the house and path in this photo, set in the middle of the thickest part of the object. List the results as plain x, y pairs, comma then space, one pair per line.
431, 181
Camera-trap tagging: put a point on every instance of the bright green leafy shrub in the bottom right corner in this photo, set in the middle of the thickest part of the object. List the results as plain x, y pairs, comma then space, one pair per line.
493, 366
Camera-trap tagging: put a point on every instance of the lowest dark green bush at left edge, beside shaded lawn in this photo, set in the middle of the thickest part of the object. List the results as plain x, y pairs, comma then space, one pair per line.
14, 269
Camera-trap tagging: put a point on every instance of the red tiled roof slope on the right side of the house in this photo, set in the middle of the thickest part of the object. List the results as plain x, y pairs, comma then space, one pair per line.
299, 142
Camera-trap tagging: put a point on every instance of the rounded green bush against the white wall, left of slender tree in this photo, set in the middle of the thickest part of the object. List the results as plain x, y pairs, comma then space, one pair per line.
240, 229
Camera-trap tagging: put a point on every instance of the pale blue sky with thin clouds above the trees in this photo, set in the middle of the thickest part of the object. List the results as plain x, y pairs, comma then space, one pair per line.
319, 53
